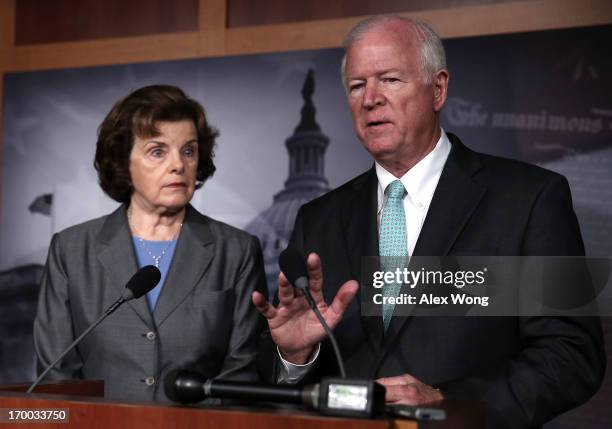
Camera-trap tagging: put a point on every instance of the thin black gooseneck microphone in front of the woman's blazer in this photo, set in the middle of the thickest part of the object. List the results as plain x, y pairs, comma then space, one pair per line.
143, 281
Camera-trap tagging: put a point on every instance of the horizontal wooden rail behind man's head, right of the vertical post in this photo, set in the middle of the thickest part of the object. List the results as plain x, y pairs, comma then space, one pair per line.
451, 22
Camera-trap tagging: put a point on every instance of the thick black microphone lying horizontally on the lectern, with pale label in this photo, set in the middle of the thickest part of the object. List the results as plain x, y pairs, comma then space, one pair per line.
334, 397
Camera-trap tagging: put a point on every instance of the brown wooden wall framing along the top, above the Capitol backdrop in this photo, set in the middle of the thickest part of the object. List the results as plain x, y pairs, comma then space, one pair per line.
213, 38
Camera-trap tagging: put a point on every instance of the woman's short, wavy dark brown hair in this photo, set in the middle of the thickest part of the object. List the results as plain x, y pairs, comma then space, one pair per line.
137, 115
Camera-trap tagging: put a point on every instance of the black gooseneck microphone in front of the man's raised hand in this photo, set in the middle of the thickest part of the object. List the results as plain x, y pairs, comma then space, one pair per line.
293, 264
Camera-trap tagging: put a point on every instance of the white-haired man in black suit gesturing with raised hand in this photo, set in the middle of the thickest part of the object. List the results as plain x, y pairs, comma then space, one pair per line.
452, 201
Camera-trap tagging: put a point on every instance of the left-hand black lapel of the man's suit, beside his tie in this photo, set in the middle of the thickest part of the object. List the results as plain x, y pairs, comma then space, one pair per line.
359, 221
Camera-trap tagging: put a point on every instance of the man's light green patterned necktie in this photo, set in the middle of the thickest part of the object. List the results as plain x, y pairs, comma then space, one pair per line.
392, 244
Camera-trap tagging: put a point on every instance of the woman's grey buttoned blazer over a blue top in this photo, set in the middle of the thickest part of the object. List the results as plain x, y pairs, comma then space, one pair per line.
203, 315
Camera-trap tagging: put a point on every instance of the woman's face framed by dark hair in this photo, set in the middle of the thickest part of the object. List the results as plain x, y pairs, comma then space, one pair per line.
163, 168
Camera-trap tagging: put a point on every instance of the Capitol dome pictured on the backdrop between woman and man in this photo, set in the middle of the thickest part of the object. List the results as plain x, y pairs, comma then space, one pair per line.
306, 181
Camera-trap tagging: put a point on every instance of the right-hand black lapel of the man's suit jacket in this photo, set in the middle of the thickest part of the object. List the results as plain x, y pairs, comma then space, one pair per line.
455, 199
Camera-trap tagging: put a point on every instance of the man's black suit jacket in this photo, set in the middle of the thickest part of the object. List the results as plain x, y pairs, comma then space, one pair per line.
526, 369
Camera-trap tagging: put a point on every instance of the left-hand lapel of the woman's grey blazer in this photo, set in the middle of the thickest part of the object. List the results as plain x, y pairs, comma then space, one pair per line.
116, 254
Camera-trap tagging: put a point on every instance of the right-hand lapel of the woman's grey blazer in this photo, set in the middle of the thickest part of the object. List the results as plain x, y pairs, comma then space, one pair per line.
194, 252
